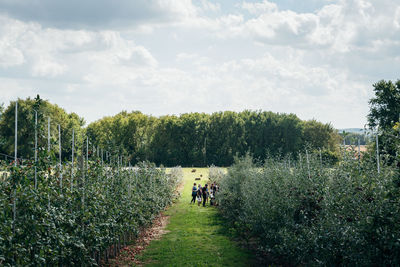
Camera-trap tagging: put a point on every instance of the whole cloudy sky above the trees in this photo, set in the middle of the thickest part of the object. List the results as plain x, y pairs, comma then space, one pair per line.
317, 59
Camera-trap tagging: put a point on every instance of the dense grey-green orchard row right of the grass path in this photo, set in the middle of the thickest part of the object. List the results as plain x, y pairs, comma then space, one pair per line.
311, 215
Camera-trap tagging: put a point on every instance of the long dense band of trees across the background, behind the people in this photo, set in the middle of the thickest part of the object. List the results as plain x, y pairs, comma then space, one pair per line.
198, 139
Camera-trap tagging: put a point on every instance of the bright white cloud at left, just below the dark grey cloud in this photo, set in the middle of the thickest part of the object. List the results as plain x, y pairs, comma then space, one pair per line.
51, 53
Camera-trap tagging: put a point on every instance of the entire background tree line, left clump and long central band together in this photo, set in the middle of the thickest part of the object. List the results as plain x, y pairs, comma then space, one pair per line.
191, 139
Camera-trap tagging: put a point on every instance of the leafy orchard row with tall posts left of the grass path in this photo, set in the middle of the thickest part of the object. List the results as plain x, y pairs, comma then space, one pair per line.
65, 226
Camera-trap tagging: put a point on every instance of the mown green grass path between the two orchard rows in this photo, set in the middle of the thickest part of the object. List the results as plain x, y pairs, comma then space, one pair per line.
196, 236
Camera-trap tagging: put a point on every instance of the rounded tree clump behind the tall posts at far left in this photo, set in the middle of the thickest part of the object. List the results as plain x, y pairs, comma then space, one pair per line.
26, 127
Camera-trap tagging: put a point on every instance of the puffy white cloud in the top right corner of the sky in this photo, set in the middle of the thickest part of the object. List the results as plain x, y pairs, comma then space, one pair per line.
343, 26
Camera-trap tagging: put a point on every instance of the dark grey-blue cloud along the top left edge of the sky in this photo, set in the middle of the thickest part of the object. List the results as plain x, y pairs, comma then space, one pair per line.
97, 14
